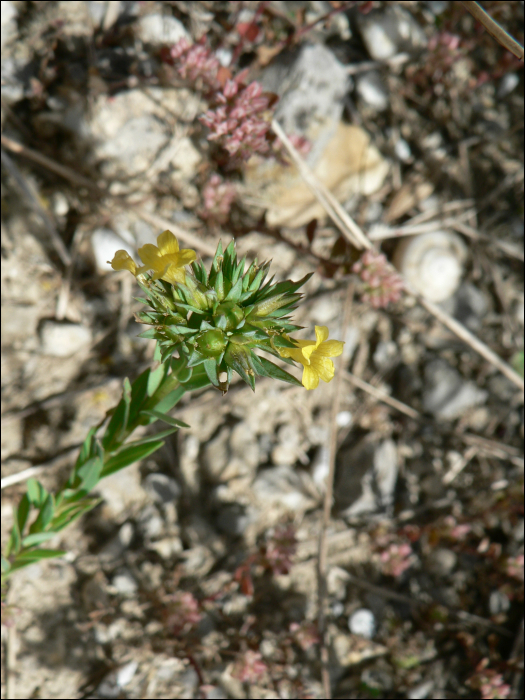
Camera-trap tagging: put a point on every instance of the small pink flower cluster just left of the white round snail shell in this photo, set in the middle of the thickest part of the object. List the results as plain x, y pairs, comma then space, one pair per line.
382, 283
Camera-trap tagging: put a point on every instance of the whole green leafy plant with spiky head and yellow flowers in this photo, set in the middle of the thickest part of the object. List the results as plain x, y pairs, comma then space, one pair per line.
207, 325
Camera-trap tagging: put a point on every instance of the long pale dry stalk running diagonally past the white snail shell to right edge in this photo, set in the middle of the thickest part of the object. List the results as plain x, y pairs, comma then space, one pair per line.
356, 236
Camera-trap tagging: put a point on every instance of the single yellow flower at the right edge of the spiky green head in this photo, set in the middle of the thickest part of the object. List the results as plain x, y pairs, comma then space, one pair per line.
315, 356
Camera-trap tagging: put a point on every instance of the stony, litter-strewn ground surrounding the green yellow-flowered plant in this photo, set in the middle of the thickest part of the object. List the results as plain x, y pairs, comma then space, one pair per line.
196, 576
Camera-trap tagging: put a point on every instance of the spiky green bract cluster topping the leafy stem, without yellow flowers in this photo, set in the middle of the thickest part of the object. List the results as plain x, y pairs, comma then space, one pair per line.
218, 319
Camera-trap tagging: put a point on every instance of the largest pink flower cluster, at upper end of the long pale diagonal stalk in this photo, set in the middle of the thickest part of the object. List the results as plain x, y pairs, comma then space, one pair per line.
239, 123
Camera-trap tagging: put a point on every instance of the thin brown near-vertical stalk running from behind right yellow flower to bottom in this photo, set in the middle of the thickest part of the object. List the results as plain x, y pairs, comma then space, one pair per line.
327, 508
